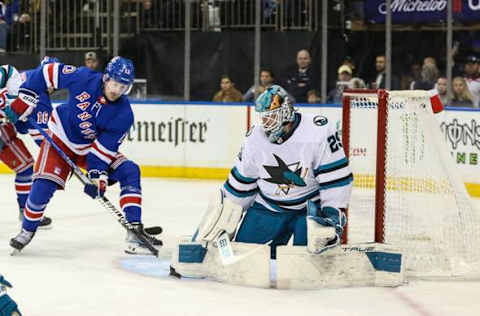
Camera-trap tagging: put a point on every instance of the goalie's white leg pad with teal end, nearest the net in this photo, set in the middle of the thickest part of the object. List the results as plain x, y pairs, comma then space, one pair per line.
368, 264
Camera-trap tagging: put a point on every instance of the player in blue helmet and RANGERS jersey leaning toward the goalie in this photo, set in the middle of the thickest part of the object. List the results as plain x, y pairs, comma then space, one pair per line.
89, 128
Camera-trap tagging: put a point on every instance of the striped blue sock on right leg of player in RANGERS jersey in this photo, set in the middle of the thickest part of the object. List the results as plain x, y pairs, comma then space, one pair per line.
128, 174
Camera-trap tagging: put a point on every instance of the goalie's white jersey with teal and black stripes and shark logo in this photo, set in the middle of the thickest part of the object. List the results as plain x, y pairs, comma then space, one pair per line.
309, 165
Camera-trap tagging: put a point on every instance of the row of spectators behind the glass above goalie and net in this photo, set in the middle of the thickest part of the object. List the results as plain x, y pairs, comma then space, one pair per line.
302, 84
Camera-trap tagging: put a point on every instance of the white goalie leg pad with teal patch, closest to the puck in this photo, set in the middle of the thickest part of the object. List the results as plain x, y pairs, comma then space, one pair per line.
202, 260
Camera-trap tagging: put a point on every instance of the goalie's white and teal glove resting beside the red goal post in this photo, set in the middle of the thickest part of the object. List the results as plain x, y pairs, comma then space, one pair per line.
324, 227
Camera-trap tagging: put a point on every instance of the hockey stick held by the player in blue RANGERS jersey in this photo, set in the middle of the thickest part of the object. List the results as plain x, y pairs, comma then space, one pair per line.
103, 200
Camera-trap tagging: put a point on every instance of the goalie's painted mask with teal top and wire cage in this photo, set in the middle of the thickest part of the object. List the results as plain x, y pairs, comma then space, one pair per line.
275, 110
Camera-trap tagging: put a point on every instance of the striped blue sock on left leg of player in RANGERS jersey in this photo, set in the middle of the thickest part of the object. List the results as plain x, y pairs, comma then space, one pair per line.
40, 194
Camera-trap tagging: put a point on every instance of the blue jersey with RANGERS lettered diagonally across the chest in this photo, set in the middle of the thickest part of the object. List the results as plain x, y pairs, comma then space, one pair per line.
88, 124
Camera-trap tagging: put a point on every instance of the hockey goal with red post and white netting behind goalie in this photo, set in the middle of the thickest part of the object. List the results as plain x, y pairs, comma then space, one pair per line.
406, 189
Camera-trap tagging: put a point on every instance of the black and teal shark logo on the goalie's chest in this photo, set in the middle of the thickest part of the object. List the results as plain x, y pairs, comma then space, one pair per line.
286, 176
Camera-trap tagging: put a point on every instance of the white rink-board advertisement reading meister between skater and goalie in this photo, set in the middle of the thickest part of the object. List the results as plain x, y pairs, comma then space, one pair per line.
185, 135
